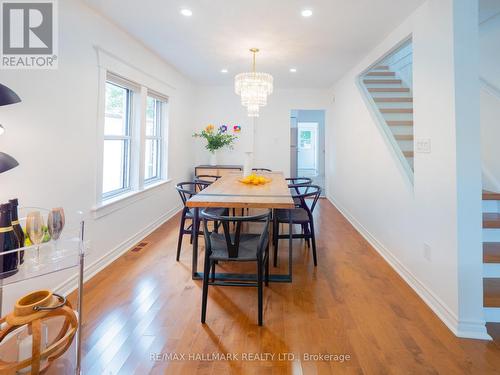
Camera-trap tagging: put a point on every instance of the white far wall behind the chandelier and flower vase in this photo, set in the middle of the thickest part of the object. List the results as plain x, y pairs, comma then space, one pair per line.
220, 105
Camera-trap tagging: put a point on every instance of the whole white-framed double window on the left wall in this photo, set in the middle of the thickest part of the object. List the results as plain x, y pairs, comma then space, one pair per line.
134, 146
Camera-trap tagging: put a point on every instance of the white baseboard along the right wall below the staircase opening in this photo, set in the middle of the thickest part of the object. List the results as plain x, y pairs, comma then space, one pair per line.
465, 329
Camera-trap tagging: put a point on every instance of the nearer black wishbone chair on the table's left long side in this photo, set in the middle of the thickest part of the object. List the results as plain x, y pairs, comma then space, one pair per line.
186, 190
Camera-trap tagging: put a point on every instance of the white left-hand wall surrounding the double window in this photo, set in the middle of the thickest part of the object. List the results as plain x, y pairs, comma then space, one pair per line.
52, 133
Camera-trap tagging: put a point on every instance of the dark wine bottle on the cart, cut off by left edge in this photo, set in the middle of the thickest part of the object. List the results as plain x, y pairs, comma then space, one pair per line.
8, 241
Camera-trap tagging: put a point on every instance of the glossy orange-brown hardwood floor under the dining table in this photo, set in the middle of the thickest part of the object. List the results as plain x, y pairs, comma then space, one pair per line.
352, 304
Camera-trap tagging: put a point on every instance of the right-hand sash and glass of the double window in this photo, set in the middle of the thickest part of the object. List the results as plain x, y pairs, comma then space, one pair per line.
154, 140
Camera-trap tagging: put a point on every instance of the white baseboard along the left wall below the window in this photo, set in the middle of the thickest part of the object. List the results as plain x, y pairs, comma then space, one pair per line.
95, 267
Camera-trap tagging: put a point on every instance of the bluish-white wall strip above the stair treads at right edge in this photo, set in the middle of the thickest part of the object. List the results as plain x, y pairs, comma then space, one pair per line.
489, 41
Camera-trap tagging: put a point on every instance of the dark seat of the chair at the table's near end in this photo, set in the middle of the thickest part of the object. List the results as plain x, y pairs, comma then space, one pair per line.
247, 249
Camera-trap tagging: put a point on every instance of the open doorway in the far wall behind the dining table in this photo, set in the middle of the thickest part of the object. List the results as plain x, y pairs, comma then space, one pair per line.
307, 146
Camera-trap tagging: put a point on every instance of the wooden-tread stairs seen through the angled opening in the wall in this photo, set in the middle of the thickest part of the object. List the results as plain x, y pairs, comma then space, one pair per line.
394, 102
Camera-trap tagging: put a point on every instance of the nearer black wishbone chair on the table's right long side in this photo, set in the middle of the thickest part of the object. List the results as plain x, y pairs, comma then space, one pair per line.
302, 214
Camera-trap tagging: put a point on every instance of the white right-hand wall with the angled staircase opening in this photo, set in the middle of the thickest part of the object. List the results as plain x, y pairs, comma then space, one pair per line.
400, 219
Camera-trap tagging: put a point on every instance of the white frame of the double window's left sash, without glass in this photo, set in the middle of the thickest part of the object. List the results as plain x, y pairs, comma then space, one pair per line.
127, 162
